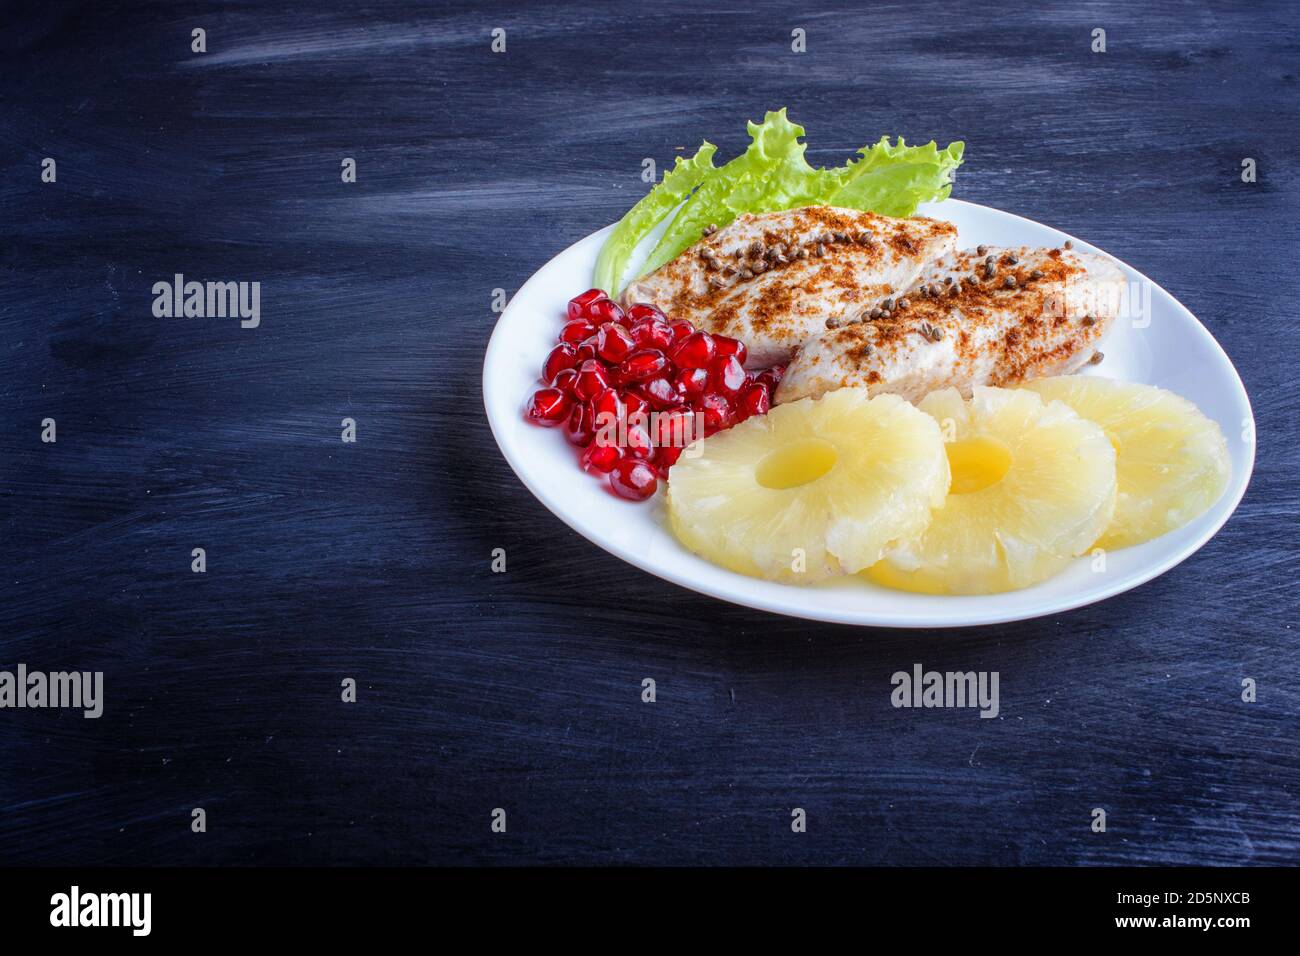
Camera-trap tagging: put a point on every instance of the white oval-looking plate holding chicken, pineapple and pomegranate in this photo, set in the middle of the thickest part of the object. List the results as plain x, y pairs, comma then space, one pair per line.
1173, 352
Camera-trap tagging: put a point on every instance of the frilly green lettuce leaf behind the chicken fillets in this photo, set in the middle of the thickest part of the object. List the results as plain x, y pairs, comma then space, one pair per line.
773, 175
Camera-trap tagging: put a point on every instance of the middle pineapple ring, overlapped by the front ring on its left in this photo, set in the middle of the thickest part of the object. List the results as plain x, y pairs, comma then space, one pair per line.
1033, 487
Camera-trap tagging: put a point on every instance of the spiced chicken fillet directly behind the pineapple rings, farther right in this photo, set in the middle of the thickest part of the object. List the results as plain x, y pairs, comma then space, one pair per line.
961, 328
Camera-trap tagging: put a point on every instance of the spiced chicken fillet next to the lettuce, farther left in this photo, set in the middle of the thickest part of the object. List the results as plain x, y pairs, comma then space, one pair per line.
774, 279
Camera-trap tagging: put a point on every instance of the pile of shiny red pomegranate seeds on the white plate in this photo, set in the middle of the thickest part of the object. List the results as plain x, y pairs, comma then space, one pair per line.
632, 390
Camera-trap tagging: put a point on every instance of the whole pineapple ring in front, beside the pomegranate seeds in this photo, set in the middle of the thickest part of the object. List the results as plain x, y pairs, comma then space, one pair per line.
813, 490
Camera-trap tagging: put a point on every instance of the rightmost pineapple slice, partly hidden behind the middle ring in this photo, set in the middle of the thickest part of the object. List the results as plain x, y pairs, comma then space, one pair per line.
1172, 461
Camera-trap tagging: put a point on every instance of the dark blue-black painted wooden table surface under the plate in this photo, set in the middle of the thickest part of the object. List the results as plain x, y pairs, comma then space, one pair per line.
372, 560
